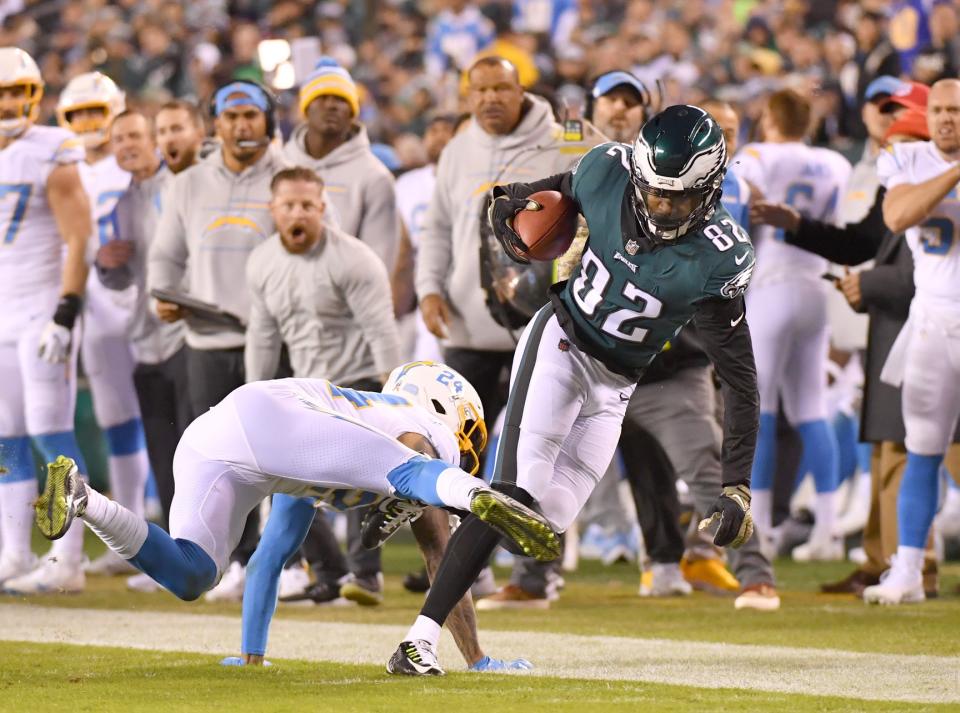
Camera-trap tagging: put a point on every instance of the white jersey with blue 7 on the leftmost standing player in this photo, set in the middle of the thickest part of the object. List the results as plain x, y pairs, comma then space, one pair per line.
31, 248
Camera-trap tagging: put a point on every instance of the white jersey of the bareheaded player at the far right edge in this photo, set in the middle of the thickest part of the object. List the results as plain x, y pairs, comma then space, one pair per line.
936, 258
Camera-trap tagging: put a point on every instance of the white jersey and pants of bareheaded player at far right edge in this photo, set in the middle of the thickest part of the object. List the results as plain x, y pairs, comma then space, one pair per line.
926, 356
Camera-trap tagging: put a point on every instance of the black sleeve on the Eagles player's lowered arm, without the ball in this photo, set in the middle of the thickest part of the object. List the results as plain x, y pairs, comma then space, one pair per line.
725, 337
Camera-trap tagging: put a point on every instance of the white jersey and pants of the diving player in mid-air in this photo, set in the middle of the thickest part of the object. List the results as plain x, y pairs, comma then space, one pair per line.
301, 437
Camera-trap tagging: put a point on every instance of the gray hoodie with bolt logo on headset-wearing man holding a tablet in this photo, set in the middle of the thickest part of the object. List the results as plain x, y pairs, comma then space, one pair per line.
212, 220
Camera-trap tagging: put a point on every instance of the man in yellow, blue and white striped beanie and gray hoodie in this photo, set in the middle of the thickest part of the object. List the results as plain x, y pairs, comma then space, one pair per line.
335, 145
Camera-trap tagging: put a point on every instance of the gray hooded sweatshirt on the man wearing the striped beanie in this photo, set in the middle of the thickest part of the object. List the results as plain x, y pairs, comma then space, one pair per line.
360, 187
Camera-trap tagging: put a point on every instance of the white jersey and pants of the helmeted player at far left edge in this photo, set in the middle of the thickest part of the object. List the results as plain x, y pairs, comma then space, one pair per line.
36, 397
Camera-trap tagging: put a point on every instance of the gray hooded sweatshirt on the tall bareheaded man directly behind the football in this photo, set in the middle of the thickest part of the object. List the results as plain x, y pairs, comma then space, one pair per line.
474, 161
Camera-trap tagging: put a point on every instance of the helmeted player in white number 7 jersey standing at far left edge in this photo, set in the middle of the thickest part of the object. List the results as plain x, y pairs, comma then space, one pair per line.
42, 206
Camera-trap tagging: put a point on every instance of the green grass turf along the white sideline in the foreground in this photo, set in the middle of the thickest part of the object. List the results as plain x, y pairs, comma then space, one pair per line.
597, 602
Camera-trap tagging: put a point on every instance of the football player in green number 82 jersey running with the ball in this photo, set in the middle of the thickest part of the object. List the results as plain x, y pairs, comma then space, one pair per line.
662, 251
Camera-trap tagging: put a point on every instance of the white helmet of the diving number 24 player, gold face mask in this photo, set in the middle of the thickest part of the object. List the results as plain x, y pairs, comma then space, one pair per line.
446, 394
